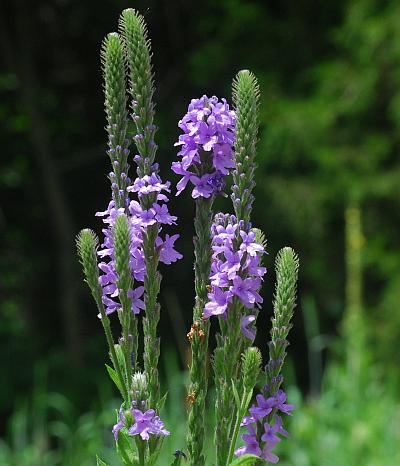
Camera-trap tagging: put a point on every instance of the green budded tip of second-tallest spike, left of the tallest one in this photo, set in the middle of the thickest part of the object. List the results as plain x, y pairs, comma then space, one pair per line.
115, 104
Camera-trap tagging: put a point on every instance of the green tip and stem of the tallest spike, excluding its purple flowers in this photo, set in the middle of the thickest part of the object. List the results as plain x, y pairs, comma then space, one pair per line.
138, 56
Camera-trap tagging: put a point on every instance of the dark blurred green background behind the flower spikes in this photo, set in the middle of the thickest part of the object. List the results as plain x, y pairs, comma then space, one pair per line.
328, 185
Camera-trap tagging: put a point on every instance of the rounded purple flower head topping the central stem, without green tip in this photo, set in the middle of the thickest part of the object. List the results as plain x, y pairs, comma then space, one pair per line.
206, 152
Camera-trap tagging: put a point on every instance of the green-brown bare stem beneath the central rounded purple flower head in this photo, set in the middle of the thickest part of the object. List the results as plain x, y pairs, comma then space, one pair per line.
200, 331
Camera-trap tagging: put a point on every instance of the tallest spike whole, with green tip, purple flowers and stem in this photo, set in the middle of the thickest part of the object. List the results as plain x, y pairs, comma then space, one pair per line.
148, 185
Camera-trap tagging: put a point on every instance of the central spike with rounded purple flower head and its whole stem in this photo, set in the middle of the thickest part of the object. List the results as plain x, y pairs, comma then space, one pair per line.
206, 157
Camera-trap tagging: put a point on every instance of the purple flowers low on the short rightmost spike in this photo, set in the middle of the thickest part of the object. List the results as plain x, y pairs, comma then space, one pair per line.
264, 418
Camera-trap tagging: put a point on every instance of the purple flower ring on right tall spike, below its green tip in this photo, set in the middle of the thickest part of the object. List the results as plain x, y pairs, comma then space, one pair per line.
235, 269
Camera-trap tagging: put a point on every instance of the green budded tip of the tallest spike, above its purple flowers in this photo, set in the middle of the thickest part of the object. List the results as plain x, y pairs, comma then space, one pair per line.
138, 53
